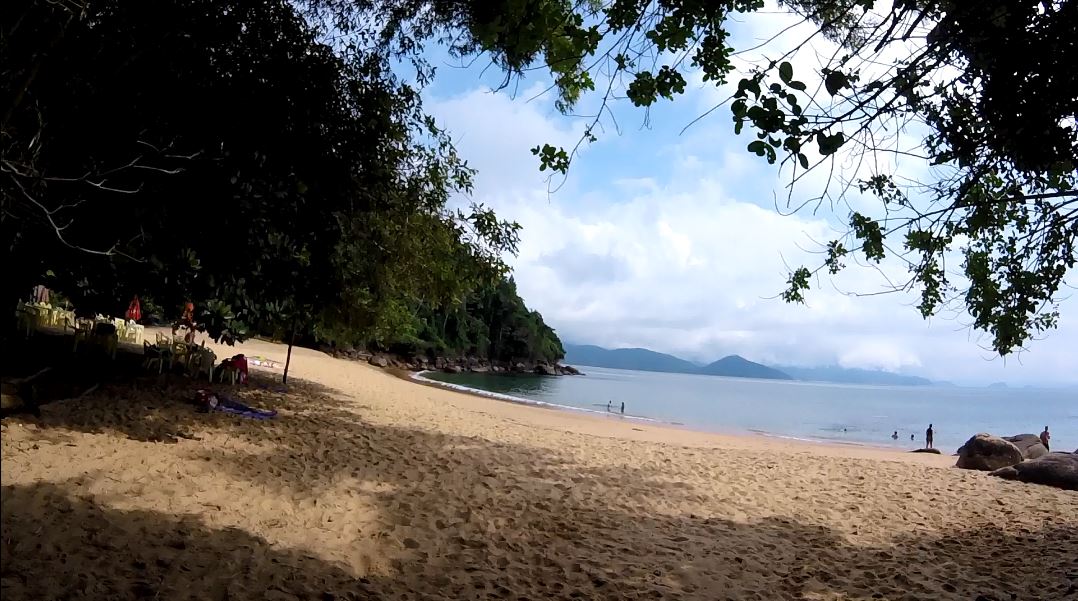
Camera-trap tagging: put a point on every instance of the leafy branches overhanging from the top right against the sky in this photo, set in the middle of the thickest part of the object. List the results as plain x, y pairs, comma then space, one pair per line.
991, 82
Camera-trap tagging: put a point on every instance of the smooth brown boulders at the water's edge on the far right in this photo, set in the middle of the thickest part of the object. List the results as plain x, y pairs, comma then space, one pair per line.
1020, 458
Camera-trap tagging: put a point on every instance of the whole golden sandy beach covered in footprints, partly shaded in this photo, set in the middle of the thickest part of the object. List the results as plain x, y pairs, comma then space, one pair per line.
367, 486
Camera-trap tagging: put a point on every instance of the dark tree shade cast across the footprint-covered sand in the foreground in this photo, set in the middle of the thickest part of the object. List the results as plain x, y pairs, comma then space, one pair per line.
537, 528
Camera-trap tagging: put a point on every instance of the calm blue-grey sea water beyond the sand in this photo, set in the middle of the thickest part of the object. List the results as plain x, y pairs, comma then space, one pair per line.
852, 414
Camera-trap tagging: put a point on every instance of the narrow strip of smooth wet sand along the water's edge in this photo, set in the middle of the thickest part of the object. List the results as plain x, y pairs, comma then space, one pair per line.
680, 434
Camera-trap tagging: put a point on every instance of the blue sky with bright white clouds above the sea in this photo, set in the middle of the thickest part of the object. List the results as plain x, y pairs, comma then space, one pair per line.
675, 242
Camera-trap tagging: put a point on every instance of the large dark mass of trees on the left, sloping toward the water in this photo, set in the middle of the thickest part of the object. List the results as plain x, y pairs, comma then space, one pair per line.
237, 156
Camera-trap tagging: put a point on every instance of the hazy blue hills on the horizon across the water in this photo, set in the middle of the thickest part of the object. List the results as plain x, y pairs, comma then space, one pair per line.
731, 367
